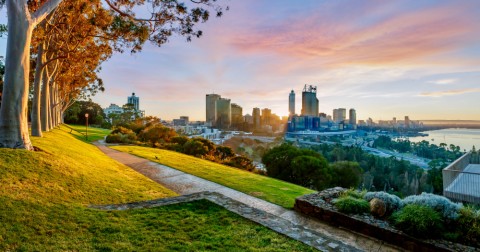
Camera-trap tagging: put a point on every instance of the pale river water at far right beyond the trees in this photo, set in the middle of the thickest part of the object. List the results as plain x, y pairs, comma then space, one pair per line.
465, 138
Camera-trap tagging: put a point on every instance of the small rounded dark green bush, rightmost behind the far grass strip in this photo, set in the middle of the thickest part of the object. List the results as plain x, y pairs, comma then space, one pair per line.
346, 174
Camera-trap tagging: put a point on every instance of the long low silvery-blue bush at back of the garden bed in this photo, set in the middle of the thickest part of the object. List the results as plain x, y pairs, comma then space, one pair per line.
444, 206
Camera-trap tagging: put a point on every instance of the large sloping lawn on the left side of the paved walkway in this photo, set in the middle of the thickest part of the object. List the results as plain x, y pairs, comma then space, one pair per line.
44, 194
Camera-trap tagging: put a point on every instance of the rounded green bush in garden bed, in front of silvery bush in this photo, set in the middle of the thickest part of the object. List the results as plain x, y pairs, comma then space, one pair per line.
419, 221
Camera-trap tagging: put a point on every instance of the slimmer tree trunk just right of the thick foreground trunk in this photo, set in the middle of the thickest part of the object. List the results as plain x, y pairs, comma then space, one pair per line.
36, 125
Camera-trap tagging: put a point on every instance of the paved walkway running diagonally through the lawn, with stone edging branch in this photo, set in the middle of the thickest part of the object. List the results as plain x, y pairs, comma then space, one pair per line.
287, 222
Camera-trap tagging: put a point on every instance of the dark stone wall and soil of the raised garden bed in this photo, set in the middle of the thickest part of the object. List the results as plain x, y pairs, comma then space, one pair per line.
319, 205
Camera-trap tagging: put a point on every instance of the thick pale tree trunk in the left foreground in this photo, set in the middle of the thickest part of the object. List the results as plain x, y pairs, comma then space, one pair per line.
13, 113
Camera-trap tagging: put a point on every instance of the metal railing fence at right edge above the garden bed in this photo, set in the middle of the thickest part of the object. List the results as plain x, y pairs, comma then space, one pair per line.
459, 184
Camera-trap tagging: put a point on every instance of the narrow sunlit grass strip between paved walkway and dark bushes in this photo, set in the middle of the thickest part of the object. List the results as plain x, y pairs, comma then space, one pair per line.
269, 189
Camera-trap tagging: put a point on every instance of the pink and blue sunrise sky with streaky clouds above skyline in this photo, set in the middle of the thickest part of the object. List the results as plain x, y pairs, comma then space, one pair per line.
384, 58
